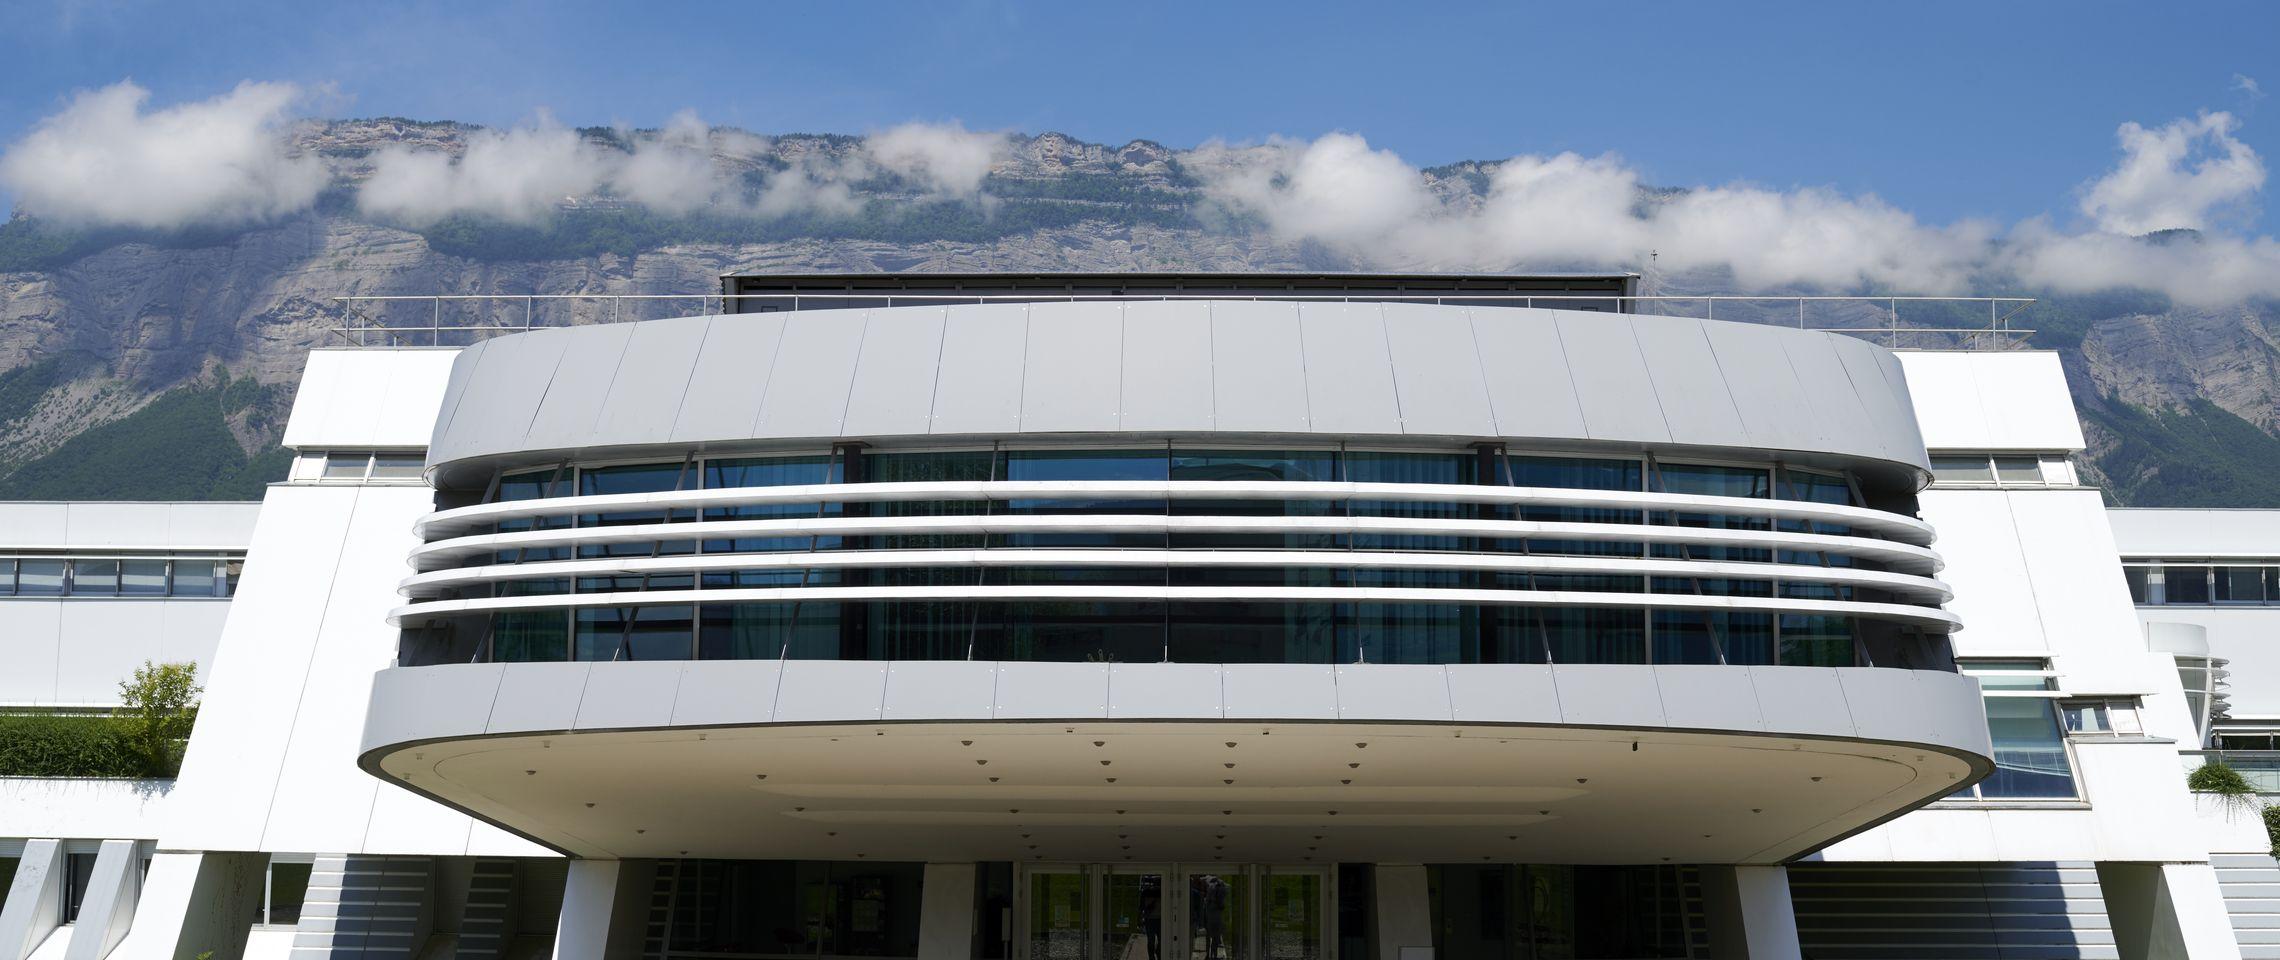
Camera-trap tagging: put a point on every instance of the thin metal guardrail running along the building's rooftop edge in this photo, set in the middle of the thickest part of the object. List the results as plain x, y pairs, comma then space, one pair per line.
455, 320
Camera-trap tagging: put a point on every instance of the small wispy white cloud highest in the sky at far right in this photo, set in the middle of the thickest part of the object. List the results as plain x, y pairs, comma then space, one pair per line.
2179, 177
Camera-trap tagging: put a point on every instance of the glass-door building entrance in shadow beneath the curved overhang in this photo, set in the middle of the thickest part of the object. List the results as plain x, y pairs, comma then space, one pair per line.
1175, 913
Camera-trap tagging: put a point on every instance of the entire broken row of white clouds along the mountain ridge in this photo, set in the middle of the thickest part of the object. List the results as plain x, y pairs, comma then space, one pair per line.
113, 161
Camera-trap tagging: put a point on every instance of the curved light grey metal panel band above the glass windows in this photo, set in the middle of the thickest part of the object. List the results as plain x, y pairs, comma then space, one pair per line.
1200, 368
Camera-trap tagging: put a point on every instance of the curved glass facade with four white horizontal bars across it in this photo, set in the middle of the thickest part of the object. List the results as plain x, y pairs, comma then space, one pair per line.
1351, 589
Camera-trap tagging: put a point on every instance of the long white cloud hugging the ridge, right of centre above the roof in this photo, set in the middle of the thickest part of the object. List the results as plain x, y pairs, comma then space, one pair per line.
1572, 211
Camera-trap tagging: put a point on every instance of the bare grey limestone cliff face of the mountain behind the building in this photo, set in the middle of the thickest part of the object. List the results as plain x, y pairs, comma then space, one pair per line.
99, 336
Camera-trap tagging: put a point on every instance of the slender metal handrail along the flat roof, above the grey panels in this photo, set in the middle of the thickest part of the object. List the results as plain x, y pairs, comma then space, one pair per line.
361, 330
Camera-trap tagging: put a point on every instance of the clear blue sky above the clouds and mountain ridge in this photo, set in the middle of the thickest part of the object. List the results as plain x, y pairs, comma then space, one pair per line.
1948, 111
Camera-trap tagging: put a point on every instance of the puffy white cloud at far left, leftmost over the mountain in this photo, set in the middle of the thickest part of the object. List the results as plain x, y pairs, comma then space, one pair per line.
111, 161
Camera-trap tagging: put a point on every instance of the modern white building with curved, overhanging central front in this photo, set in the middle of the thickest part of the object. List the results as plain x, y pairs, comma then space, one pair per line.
1228, 619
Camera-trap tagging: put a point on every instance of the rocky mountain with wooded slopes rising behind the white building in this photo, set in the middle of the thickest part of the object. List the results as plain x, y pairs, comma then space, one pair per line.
161, 364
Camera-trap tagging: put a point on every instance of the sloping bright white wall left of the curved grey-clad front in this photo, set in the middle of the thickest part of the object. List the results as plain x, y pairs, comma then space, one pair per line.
272, 765
